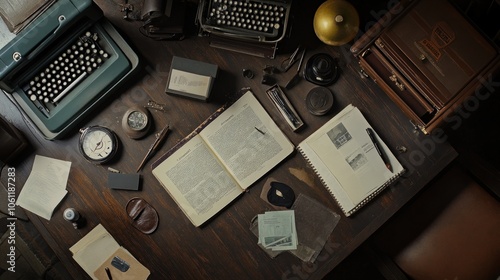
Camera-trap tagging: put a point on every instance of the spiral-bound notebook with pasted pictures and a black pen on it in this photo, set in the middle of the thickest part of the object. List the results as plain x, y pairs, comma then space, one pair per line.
346, 159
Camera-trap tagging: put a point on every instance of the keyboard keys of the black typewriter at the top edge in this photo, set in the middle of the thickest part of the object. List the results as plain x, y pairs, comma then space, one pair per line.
248, 17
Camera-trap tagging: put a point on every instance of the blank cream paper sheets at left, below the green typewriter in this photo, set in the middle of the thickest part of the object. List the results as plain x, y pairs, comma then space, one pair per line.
45, 186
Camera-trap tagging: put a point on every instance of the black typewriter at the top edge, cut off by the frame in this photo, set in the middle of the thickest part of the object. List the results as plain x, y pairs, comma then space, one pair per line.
261, 20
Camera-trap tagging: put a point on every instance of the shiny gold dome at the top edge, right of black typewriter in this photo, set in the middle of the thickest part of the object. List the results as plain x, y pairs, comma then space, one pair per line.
336, 22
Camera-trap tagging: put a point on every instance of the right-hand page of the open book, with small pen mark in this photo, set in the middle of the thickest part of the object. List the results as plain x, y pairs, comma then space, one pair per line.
247, 140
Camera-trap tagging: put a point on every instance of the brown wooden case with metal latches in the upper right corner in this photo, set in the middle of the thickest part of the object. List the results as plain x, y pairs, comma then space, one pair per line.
428, 58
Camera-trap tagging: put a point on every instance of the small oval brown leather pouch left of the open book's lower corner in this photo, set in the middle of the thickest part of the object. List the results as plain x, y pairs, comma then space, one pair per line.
143, 216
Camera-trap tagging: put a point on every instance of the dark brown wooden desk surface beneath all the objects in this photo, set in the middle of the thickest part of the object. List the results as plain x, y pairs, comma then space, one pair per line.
224, 248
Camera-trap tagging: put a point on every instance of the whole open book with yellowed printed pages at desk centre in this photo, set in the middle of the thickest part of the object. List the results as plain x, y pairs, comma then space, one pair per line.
218, 161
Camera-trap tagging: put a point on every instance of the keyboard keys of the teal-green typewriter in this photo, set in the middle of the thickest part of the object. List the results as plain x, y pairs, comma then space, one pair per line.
58, 77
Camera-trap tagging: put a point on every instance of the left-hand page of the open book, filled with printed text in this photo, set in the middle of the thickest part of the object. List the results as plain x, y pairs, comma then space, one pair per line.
197, 181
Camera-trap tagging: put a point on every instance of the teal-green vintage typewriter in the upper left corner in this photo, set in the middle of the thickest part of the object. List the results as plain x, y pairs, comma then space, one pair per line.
63, 64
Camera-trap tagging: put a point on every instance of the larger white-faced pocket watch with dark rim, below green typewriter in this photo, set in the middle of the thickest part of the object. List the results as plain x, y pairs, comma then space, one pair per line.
98, 144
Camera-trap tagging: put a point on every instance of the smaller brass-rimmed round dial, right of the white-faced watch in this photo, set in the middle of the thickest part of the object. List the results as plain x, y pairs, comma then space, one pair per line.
136, 122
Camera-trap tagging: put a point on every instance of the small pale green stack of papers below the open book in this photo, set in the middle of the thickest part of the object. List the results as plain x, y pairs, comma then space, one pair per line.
277, 230
